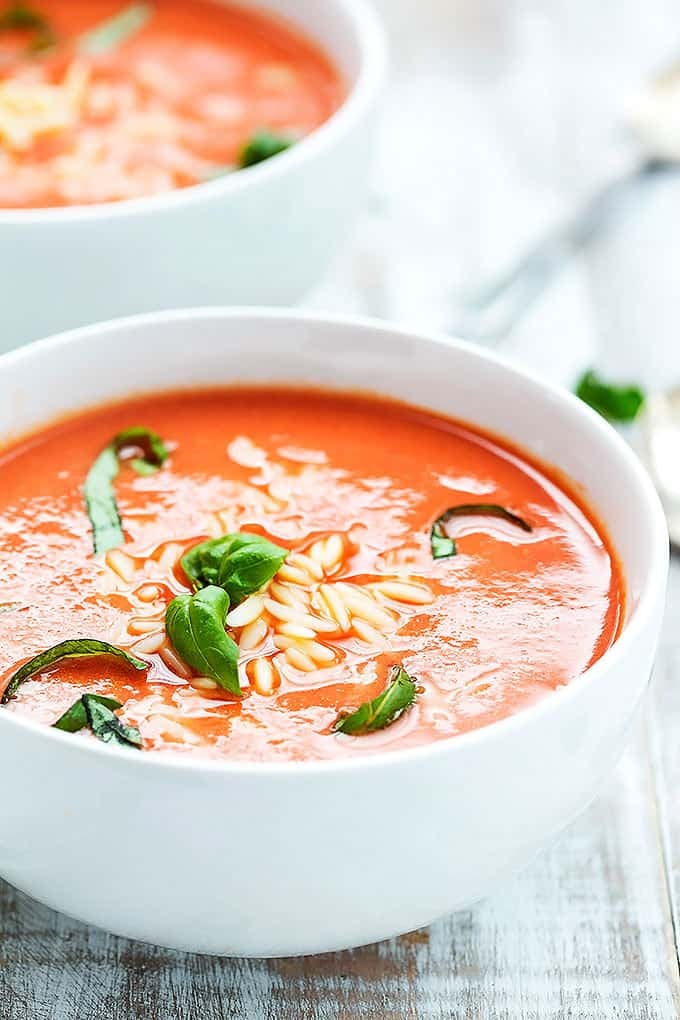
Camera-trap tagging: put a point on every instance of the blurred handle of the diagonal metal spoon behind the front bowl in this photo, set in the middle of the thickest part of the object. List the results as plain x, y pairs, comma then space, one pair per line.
489, 315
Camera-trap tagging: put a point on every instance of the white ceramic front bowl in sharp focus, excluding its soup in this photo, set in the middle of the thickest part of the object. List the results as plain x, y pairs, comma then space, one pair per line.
278, 859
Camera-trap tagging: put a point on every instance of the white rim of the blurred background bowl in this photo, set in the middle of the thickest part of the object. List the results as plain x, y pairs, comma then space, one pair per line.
372, 44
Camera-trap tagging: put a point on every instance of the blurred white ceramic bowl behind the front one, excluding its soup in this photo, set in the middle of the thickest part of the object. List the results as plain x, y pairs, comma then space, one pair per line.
263, 236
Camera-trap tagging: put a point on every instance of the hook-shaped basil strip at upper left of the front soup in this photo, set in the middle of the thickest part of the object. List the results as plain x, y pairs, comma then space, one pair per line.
99, 494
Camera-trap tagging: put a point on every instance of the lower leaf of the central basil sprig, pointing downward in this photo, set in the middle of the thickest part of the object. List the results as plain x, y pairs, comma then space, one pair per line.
195, 625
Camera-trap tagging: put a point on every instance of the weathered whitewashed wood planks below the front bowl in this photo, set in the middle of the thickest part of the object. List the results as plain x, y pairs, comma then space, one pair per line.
587, 932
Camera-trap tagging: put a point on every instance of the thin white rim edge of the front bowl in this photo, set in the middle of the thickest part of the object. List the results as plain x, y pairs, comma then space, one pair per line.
642, 619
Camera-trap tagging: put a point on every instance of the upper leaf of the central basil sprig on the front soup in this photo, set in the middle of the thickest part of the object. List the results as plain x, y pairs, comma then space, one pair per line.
241, 564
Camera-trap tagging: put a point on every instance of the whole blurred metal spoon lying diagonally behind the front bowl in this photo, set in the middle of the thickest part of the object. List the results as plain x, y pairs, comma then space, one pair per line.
489, 315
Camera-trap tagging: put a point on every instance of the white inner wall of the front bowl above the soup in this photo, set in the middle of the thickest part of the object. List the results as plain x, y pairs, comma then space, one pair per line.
189, 349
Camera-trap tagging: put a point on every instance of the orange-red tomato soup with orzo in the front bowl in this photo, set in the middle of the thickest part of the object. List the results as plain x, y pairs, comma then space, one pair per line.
349, 488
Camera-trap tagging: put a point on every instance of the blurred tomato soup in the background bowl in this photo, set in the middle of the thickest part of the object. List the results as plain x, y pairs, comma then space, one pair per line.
102, 101
